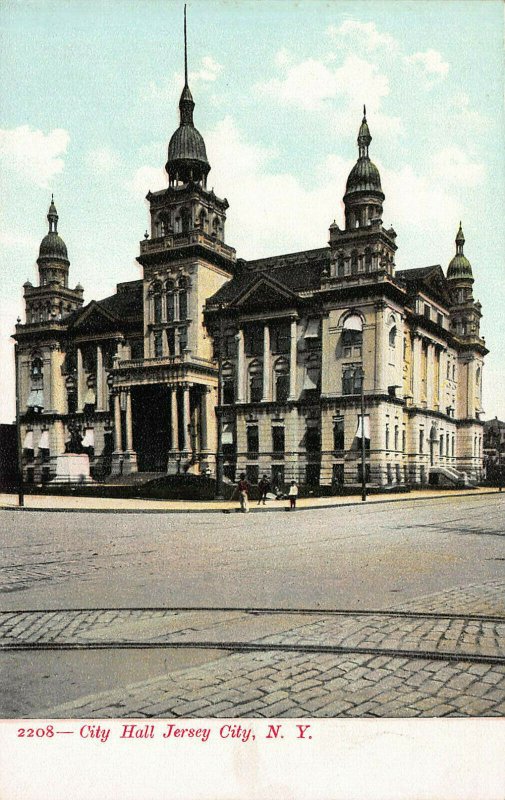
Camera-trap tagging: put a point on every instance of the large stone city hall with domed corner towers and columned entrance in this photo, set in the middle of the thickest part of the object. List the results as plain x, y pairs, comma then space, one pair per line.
256, 365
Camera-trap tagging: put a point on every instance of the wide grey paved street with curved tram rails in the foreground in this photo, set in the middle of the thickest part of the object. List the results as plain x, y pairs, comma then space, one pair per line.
228, 615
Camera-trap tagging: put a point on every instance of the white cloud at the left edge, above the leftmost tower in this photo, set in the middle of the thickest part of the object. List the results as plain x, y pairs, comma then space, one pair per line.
32, 154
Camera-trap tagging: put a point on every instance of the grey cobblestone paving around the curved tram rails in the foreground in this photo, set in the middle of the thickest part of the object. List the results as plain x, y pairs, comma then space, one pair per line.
440, 681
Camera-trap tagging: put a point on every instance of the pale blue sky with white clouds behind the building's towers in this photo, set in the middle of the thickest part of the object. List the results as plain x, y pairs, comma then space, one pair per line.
89, 92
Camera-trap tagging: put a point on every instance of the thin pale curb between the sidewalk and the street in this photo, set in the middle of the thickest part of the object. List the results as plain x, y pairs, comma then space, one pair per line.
263, 510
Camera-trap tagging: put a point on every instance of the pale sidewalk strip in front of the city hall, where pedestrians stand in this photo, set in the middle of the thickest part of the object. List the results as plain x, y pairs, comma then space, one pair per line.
105, 504
